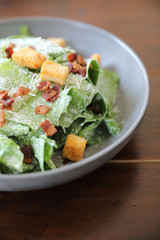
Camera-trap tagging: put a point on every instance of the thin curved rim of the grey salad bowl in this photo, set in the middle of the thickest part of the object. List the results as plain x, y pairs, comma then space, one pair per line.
119, 141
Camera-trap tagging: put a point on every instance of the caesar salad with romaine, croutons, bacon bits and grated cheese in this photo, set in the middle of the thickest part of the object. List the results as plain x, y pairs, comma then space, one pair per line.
51, 98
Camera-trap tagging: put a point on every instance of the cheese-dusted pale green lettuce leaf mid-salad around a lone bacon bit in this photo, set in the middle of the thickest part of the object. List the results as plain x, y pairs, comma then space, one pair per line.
24, 110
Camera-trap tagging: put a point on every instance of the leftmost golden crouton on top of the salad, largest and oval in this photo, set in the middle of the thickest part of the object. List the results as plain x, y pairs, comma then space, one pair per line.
28, 57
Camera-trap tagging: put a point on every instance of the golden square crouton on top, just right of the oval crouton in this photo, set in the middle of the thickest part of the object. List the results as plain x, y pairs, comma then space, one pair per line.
51, 71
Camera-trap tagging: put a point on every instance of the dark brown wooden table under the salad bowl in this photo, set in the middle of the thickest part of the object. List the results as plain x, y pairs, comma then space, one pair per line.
120, 200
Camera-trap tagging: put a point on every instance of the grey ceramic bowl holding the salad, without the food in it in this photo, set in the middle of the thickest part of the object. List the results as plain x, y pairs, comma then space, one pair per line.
132, 101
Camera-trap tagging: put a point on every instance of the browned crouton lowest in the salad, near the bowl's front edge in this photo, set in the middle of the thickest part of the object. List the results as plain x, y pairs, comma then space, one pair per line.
74, 147
